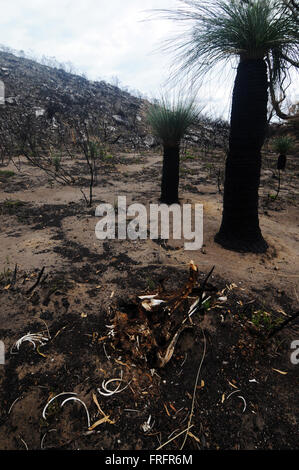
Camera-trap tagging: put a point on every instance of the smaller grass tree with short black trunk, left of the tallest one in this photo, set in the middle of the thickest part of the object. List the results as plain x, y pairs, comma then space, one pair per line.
170, 120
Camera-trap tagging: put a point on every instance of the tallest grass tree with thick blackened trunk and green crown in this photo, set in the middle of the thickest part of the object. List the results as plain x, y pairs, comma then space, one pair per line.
262, 35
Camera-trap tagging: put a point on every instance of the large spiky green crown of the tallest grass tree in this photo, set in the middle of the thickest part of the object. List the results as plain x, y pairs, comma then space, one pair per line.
248, 29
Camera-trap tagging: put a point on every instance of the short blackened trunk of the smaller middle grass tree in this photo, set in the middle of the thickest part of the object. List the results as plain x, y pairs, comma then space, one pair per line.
170, 175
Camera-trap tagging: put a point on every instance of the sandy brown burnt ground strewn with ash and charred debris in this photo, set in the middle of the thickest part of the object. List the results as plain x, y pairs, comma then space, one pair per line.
246, 393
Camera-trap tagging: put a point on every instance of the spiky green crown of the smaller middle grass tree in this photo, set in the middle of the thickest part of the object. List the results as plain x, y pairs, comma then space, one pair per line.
170, 119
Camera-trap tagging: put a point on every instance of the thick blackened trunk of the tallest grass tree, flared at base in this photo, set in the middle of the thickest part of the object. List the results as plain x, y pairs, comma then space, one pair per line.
240, 230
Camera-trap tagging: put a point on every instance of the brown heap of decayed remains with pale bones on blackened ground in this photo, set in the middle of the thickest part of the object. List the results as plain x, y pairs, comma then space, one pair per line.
149, 327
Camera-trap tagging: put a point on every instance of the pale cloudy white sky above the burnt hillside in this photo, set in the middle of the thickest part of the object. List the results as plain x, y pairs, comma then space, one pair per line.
107, 39
